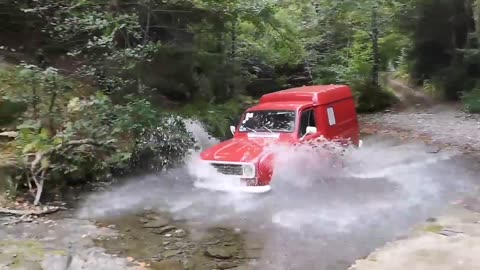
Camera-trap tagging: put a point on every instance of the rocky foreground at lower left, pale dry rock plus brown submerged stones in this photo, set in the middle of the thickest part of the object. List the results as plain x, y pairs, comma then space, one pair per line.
147, 240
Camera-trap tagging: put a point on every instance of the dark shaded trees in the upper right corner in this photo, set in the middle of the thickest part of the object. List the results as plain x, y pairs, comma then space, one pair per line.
444, 53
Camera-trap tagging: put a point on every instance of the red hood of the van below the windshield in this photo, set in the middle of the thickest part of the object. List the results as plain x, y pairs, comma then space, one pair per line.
238, 150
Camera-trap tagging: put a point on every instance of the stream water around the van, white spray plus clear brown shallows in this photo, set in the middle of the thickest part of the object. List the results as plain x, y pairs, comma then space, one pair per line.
309, 221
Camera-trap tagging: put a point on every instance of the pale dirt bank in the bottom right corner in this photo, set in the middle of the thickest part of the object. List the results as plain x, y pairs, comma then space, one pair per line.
446, 243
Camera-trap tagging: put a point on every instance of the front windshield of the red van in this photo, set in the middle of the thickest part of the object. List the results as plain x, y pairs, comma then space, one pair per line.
268, 121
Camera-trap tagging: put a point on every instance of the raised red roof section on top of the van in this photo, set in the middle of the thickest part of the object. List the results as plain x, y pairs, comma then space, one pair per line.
315, 94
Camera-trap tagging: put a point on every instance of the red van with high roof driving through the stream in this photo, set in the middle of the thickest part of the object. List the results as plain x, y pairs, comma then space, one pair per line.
292, 116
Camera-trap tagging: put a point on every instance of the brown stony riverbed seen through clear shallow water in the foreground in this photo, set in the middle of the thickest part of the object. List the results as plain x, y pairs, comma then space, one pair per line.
156, 239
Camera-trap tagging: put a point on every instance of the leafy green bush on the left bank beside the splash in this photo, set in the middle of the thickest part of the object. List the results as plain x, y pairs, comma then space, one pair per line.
86, 137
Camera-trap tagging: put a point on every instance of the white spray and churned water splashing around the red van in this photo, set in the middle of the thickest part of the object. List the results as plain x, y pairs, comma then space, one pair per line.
316, 217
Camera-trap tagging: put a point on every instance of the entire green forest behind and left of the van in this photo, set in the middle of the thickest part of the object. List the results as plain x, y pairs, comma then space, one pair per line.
92, 89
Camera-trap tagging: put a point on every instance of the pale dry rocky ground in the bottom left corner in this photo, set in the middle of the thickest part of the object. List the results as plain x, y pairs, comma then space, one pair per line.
57, 244
